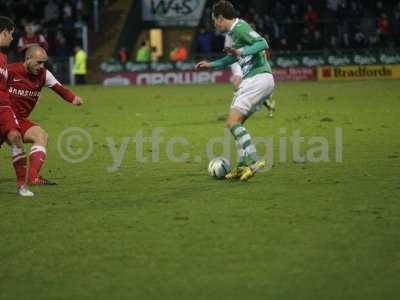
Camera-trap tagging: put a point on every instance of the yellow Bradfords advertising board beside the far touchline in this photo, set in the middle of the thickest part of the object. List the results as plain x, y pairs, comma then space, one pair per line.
359, 72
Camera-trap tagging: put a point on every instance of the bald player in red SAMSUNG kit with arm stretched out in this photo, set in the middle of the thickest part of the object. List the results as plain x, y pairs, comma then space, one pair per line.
26, 80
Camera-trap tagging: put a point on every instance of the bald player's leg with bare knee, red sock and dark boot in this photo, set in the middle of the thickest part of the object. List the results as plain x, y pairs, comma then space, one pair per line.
37, 155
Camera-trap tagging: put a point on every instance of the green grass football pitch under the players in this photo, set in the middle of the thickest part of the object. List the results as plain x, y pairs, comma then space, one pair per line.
134, 219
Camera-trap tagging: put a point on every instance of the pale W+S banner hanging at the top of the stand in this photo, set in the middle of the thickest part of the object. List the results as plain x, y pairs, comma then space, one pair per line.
173, 12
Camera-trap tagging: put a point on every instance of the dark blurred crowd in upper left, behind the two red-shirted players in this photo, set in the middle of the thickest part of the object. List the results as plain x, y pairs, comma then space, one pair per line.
54, 24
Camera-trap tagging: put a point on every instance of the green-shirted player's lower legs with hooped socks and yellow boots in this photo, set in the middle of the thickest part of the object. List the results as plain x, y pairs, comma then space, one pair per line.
235, 123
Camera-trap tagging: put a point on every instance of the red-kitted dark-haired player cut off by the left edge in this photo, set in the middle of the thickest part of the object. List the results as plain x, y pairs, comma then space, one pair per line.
9, 129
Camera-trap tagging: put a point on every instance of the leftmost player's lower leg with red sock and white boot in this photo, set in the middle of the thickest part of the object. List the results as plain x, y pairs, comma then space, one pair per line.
19, 161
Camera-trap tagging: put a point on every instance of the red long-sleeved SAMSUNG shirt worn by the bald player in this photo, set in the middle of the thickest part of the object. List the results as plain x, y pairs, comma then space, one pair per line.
24, 88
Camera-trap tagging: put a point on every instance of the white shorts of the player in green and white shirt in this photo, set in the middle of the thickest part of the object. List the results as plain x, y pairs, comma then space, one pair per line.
252, 93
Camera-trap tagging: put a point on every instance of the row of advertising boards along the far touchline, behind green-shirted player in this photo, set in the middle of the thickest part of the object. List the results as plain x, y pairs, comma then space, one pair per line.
349, 65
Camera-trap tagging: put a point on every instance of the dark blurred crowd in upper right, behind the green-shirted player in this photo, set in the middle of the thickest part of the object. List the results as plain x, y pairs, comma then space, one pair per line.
306, 25
